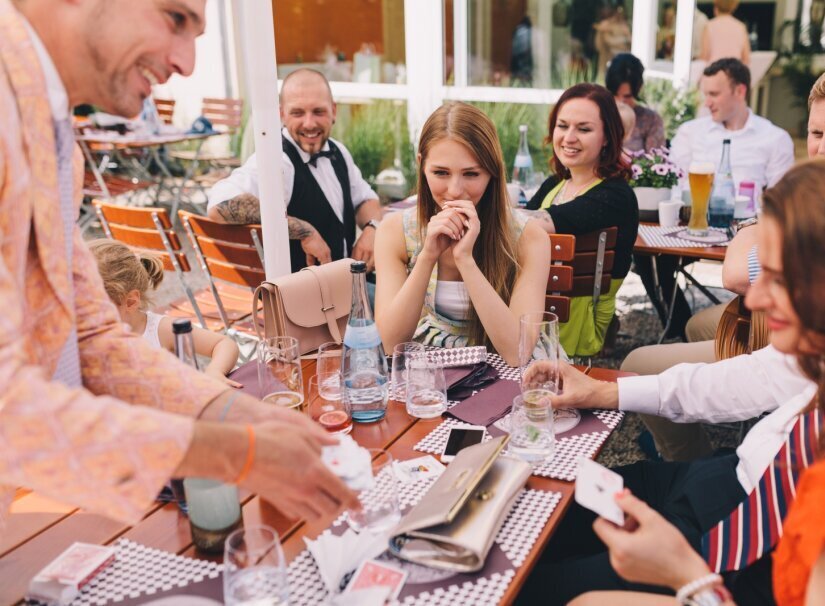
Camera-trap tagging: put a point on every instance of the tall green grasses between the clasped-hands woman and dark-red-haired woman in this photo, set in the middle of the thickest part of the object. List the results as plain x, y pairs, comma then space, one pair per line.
507, 117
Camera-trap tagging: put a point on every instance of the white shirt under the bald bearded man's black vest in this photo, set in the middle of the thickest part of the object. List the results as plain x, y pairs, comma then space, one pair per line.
244, 180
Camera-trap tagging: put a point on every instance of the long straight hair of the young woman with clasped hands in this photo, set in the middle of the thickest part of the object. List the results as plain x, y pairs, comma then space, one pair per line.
495, 249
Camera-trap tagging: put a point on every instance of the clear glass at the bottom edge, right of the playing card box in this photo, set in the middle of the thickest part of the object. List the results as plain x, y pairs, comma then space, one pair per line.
254, 568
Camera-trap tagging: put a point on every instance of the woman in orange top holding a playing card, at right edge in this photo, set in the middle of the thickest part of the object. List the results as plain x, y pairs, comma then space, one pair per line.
649, 549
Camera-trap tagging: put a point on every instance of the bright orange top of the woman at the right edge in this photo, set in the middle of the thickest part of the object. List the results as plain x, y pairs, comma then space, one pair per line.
803, 539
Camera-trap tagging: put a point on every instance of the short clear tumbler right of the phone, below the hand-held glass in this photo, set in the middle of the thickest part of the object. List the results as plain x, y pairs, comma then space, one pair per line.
531, 430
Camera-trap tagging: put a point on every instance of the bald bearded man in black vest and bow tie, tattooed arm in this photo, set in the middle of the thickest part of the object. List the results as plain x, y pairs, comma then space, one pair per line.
325, 192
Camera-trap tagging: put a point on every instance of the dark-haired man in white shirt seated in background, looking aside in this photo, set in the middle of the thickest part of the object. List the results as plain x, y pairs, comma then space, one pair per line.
761, 152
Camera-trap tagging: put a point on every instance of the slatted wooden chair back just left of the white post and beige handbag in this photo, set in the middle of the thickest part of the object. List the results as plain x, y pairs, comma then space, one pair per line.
231, 253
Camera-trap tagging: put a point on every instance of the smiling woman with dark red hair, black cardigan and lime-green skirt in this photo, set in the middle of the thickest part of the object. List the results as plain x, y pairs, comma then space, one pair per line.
588, 191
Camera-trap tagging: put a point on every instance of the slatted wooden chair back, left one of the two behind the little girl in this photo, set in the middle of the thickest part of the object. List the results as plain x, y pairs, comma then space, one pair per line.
149, 228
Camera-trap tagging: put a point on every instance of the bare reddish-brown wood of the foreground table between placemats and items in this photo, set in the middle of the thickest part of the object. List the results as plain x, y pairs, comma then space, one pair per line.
39, 529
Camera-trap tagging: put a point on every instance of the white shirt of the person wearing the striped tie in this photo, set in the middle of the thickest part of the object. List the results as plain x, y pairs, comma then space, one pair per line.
736, 389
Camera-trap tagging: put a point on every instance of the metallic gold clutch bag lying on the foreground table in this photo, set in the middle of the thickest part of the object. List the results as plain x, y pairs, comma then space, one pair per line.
455, 523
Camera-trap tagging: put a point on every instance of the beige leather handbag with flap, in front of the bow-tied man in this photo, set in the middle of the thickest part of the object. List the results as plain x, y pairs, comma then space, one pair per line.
311, 305
